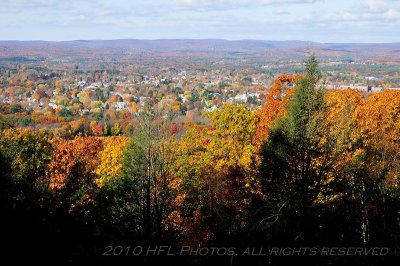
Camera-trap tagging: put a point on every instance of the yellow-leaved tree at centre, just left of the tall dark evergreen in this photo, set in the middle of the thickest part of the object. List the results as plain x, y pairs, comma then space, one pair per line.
213, 173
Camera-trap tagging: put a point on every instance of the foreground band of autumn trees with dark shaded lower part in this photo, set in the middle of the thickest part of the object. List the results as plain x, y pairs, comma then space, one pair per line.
311, 168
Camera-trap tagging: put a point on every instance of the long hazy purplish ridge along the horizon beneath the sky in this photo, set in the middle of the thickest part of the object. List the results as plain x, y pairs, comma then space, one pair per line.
16, 49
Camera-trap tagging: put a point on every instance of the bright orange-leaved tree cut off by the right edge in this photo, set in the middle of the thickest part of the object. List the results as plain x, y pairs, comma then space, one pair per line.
378, 129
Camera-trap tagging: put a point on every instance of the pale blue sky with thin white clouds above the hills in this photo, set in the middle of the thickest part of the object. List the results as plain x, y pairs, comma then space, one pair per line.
339, 21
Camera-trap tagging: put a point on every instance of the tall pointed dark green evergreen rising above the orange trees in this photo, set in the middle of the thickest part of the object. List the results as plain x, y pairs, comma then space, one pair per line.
292, 180
